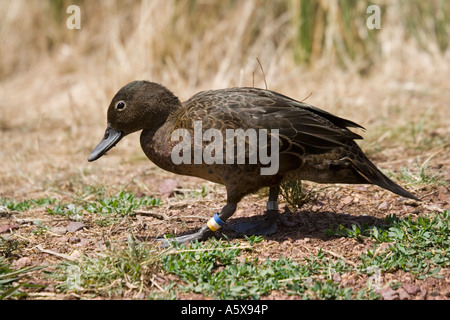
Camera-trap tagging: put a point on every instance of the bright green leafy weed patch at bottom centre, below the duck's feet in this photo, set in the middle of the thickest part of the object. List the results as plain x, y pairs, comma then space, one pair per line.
217, 269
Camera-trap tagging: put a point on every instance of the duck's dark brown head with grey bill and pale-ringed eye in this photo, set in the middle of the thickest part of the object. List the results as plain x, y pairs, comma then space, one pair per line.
138, 105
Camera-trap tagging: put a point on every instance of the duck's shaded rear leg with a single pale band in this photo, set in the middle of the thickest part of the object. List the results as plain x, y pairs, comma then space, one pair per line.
266, 225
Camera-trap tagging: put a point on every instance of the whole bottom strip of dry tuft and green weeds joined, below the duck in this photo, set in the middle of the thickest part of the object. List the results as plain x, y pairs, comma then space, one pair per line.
215, 269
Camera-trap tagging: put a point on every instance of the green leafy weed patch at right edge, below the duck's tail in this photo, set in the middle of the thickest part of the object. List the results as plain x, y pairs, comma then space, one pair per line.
420, 246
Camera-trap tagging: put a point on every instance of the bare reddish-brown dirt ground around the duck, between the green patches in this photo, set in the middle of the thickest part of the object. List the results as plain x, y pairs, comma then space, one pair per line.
305, 234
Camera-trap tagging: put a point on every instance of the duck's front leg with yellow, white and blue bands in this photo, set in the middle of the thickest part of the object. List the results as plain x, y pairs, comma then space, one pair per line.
208, 229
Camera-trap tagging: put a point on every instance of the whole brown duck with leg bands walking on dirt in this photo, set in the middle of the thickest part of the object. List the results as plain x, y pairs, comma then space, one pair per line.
312, 144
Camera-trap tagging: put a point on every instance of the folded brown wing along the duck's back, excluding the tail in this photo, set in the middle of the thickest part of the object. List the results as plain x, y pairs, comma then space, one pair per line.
300, 125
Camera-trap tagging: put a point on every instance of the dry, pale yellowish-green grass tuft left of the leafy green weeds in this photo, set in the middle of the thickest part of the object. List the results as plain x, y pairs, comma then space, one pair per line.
114, 271
